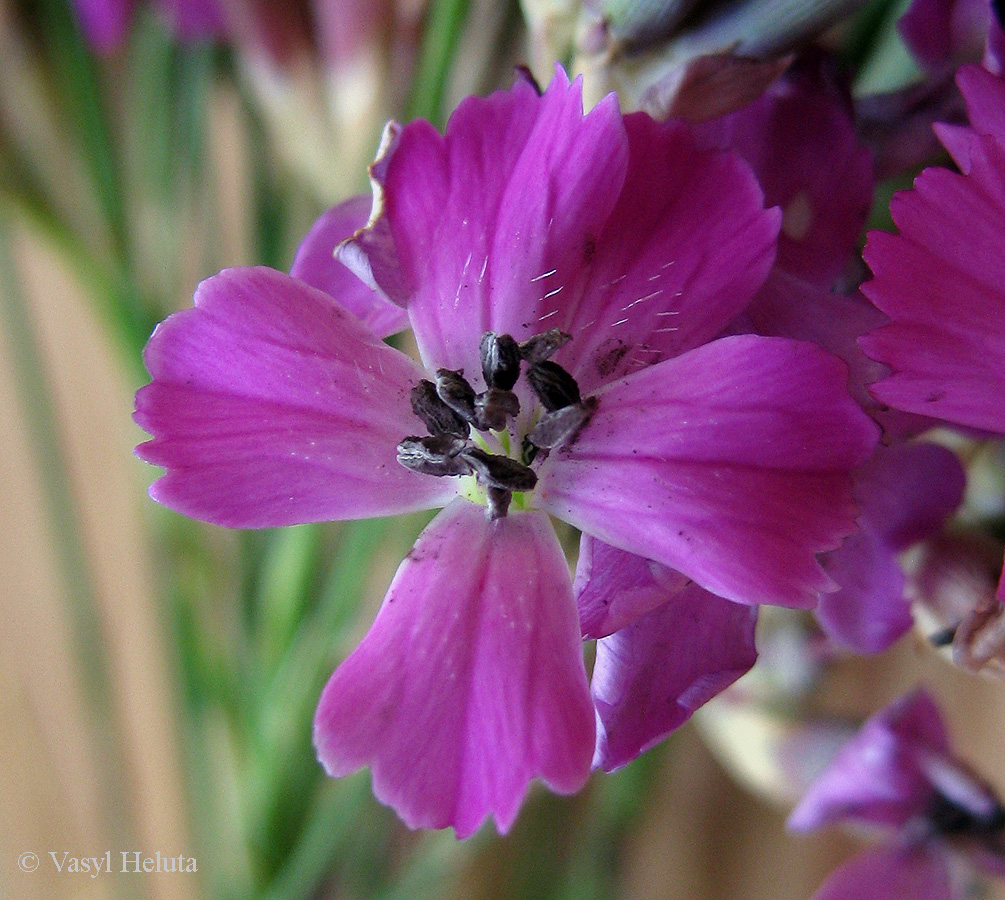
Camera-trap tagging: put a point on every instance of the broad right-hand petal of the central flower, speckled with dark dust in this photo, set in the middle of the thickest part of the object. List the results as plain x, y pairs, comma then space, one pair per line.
729, 464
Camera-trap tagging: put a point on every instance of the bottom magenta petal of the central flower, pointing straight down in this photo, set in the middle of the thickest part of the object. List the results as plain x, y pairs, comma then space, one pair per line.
471, 682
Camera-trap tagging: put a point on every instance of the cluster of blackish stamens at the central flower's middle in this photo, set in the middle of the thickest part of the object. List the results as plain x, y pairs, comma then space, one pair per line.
451, 409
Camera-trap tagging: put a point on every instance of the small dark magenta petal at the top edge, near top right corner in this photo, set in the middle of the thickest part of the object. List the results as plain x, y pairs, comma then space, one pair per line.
940, 32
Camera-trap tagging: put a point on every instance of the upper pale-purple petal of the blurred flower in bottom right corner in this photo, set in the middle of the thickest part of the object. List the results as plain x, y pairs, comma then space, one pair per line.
878, 777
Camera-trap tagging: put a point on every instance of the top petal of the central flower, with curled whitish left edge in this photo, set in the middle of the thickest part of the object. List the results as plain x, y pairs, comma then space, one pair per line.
497, 219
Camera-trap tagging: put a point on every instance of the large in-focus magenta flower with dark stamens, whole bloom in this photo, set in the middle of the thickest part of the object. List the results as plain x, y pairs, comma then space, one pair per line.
564, 276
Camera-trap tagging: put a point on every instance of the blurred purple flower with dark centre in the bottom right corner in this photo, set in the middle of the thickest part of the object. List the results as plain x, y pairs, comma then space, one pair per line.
899, 773
